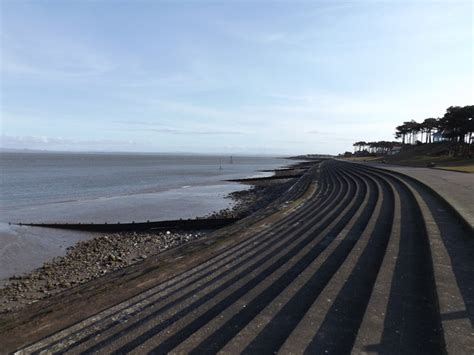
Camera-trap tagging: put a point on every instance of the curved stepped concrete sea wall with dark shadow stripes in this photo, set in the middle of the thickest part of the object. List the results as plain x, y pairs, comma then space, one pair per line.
351, 259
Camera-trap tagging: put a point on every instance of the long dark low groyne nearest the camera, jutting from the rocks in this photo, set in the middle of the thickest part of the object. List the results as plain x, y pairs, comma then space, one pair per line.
184, 224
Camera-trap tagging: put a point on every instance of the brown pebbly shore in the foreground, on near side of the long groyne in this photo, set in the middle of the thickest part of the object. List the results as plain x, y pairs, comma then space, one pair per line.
85, 261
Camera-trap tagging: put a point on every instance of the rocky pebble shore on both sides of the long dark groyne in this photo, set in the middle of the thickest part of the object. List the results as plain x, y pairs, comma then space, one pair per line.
109, 252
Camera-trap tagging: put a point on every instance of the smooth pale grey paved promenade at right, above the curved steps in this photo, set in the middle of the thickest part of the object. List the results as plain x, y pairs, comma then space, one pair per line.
455, 187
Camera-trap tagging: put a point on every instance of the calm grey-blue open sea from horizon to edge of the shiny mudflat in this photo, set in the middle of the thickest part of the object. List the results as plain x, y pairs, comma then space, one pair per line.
29, 179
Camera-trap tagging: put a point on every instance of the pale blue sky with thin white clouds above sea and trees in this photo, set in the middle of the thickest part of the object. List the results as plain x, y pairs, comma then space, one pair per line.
238, 77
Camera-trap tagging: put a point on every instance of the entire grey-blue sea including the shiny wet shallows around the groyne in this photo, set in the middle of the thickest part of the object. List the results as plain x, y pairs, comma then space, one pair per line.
107, 187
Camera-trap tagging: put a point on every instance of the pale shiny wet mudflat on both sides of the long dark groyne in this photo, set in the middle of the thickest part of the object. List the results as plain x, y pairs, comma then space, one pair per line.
23, 249
